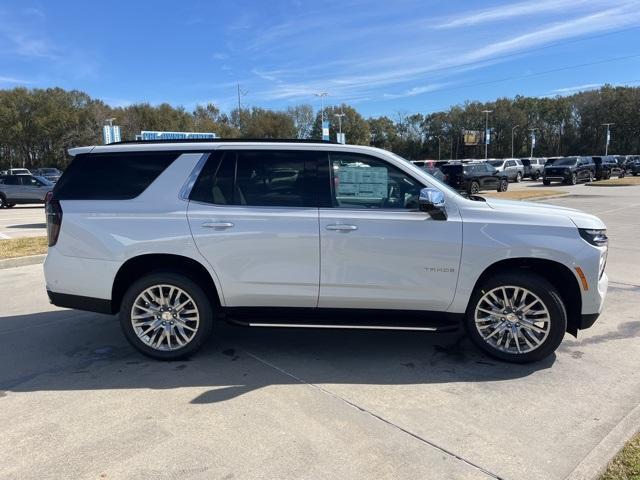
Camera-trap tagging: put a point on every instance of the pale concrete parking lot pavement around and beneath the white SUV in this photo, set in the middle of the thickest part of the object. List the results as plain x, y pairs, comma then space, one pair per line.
77, 402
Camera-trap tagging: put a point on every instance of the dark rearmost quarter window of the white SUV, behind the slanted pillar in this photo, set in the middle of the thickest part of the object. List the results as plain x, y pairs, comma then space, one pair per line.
111, 176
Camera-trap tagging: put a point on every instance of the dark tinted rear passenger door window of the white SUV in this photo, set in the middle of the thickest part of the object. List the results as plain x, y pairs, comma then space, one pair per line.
261, 178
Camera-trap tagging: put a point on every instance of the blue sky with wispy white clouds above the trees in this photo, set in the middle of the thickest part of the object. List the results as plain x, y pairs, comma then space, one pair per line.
382, 57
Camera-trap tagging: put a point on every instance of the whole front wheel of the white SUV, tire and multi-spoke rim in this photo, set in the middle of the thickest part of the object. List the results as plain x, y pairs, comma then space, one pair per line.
516, 318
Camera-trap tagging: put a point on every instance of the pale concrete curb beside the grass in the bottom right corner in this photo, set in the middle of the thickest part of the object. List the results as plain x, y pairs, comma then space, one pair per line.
597, 460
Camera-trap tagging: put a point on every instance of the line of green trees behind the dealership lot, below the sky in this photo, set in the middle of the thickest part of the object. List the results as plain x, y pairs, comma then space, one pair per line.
37, 126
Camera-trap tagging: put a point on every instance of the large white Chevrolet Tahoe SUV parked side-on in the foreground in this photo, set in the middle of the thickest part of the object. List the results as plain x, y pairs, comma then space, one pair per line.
310, 234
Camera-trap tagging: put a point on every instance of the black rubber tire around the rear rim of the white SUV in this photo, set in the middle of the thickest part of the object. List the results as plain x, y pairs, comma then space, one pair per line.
179, 280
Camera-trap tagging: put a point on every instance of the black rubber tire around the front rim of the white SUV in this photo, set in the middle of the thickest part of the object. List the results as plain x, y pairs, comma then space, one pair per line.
546, 292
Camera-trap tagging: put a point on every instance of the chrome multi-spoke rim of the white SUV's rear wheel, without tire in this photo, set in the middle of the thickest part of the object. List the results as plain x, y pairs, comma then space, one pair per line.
165, 317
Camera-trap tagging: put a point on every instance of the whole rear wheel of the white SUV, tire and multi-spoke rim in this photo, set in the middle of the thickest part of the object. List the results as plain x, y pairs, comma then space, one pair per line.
166, 315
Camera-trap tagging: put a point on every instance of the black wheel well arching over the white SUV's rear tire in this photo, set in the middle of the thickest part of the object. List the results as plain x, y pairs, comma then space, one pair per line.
137, 267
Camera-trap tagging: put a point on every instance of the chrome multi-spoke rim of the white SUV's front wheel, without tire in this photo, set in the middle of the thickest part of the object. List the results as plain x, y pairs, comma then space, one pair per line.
512, 319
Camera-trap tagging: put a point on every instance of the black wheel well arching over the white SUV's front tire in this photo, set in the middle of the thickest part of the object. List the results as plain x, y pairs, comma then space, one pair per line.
555, 273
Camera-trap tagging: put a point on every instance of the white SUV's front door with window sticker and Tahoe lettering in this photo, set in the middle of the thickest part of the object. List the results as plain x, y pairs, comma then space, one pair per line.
377, 249
